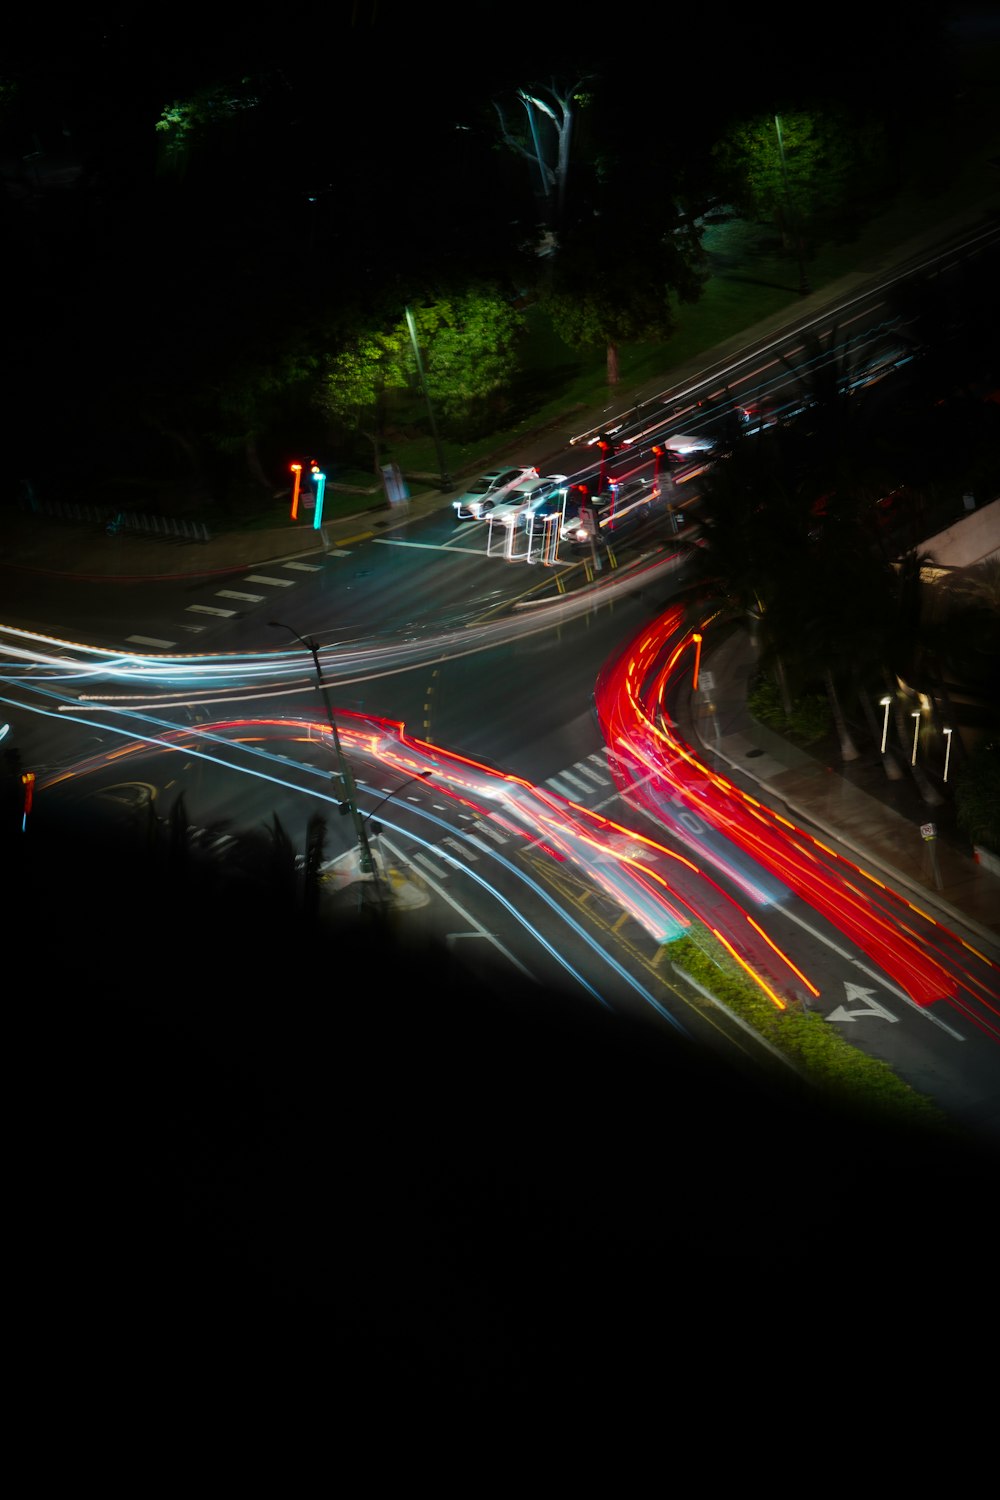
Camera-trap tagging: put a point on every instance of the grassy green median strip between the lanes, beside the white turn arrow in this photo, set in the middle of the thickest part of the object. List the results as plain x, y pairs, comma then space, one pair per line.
825, 1060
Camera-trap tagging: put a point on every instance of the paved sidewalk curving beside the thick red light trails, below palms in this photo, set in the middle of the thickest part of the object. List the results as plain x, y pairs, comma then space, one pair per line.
866, 829
